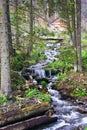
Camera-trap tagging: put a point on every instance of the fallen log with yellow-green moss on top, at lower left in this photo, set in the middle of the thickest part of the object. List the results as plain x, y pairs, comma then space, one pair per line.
24, 113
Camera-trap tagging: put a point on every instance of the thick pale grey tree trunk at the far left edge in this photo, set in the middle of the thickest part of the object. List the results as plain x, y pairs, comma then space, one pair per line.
5, 63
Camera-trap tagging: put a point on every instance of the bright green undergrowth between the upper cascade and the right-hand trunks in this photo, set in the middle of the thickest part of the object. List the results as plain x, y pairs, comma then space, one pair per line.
65, 60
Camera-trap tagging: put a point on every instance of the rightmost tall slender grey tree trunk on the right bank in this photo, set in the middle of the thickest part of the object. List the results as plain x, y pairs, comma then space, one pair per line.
79, 34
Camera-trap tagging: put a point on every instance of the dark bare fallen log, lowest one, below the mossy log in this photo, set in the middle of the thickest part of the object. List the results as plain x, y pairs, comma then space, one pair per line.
31, 123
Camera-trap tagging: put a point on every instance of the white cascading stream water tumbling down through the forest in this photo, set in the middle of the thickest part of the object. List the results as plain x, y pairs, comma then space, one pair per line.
68, 117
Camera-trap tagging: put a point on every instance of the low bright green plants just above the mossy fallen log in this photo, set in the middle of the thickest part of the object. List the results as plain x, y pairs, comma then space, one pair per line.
40, 95
